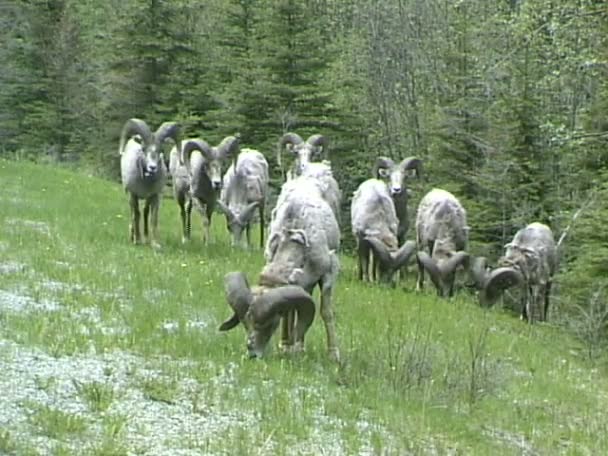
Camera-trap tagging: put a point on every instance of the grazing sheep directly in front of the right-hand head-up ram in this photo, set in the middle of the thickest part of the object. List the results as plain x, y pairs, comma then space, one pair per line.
374, 224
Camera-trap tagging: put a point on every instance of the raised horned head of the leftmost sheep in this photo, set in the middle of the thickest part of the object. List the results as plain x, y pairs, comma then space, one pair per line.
151, 143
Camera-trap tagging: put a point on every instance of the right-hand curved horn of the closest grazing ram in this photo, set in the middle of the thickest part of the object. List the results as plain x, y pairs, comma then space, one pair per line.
278, 301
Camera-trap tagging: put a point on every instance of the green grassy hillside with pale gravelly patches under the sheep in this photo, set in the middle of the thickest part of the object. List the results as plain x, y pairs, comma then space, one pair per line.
110, 348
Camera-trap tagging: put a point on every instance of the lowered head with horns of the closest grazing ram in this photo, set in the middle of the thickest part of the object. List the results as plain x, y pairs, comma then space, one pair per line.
261, 308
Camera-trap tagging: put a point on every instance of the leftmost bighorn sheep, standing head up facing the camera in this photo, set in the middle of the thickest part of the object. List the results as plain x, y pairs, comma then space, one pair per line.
144, 173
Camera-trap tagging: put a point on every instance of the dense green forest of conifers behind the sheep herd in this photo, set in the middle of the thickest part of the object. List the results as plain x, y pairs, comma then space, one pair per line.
506, 102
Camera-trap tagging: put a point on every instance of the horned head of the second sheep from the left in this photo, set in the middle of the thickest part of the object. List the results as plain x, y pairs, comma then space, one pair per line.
214, 156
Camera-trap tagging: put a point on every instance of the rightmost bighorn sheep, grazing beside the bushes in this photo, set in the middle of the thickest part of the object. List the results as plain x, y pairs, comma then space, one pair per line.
530, 261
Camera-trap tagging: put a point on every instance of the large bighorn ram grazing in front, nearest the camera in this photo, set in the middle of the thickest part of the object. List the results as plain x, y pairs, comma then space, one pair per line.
301, 254
